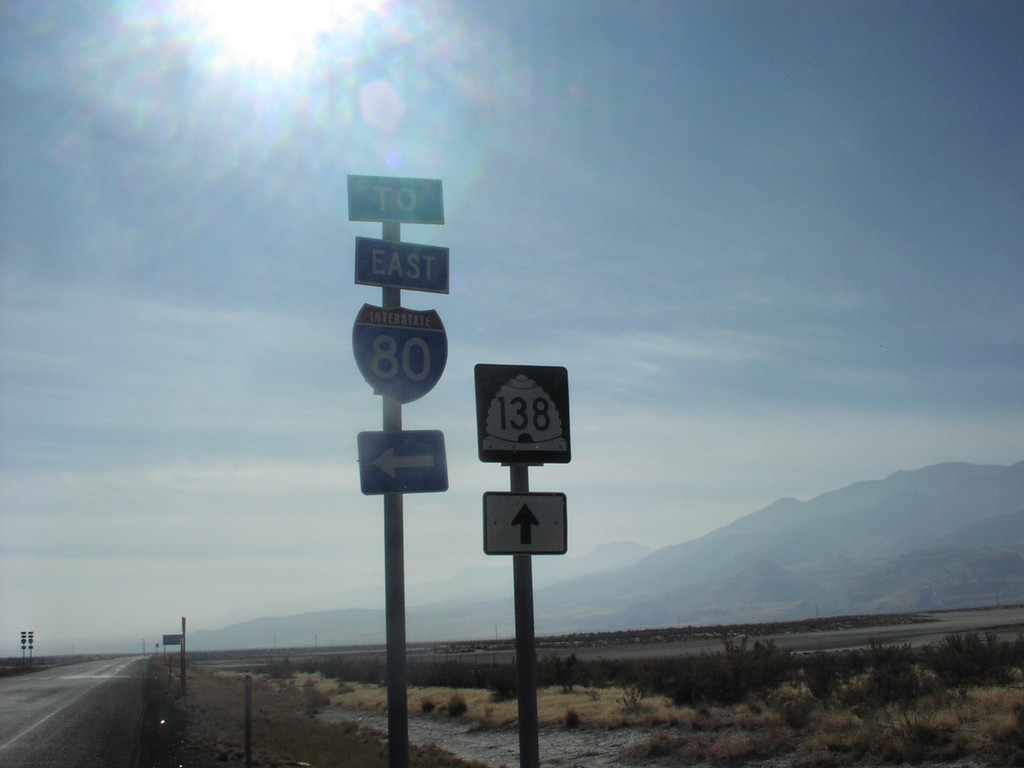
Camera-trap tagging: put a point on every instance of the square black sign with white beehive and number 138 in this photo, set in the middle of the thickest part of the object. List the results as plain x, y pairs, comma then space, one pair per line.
523, 414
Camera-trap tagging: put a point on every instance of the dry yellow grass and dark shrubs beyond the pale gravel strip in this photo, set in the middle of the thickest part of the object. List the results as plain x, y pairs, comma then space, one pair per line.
986, 724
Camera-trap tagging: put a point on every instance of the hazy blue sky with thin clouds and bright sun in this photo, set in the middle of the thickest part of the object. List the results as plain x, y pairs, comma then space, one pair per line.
777, 246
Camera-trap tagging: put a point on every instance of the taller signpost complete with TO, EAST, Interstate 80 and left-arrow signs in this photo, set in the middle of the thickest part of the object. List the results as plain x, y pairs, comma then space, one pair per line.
402, 355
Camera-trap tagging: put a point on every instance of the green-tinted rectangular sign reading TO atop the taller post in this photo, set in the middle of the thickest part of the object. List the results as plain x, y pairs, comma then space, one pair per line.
418, 201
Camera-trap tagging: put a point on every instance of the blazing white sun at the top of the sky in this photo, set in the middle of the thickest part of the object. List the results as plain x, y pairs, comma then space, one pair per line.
276, 37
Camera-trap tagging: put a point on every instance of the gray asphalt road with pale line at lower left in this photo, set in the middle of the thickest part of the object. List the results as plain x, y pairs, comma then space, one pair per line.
82, 716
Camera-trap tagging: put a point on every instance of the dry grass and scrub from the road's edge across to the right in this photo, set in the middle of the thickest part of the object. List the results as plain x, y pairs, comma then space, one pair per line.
985, 726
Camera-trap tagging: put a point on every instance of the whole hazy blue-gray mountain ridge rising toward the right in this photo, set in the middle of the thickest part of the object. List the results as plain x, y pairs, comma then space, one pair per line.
946, 536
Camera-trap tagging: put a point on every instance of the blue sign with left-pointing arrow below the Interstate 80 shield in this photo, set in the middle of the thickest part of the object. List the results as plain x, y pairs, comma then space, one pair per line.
412, 462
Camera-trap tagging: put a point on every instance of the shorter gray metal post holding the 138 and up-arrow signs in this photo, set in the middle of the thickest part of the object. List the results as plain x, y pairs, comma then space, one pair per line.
526, 647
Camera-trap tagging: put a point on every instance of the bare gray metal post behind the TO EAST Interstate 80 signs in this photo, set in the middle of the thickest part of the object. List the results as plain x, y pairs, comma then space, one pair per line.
395, 575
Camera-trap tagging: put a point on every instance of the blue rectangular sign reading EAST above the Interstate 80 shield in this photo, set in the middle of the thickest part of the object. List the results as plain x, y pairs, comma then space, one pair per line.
381, 263
